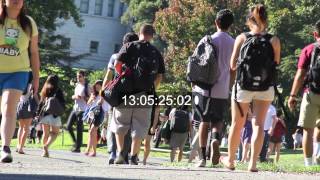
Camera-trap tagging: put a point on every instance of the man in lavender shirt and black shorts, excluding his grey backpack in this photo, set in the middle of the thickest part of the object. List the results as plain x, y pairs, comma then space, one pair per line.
210, 105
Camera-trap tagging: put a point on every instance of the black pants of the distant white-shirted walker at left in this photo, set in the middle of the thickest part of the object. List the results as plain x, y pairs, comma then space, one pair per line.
75, 118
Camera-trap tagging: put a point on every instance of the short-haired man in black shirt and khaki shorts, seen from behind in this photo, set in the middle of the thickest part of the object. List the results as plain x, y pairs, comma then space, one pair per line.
137, 118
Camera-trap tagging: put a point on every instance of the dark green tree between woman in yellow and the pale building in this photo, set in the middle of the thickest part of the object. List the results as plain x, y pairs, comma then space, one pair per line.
49, 15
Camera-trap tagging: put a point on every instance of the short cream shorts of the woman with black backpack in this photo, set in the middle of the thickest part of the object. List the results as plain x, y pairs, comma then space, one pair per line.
245, 96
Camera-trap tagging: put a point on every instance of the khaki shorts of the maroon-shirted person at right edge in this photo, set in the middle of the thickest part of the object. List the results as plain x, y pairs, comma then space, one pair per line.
309, 110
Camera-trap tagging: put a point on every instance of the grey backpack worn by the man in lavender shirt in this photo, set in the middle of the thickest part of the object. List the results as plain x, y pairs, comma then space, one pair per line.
203, 69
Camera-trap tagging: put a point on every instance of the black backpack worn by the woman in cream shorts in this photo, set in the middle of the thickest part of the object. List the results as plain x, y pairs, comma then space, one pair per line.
256, 69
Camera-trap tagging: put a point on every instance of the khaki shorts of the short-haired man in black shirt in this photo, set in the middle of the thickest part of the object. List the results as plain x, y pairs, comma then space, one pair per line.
136, 119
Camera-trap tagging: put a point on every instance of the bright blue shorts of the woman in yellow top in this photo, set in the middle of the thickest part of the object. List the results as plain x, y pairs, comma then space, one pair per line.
16, 80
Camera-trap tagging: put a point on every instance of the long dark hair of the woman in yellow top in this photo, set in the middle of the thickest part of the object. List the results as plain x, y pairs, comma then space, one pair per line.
23, 20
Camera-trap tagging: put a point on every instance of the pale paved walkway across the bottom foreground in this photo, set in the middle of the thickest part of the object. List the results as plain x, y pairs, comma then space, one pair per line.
66, 165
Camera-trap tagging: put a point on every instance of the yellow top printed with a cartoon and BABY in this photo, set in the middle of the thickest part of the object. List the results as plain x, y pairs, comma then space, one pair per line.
14, 44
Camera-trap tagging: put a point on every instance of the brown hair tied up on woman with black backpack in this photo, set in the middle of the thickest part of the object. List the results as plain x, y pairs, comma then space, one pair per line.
257, 16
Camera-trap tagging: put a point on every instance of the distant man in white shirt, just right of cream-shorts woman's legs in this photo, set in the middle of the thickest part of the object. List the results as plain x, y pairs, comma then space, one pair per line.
270, 118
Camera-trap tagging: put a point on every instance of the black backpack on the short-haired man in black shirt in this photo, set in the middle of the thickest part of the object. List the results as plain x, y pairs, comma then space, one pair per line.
145, 68
